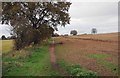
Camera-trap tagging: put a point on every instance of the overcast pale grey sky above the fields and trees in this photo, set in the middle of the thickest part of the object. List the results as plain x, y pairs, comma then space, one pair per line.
85, 15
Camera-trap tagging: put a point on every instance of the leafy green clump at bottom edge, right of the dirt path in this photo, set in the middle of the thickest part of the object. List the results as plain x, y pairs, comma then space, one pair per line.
76, 70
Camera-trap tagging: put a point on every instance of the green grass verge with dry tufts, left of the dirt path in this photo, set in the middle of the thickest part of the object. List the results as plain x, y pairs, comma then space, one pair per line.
28, 62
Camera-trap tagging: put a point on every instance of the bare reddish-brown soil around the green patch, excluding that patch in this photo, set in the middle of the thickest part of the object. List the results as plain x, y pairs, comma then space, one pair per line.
74, 50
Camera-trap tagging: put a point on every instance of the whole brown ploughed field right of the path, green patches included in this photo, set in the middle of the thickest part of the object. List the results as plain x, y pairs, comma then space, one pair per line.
98, 52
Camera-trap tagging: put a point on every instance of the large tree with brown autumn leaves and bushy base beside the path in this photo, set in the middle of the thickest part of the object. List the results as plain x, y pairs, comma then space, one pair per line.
34, 21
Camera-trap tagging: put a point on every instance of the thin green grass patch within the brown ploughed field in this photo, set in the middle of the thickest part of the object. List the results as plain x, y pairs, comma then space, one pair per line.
101, 60
